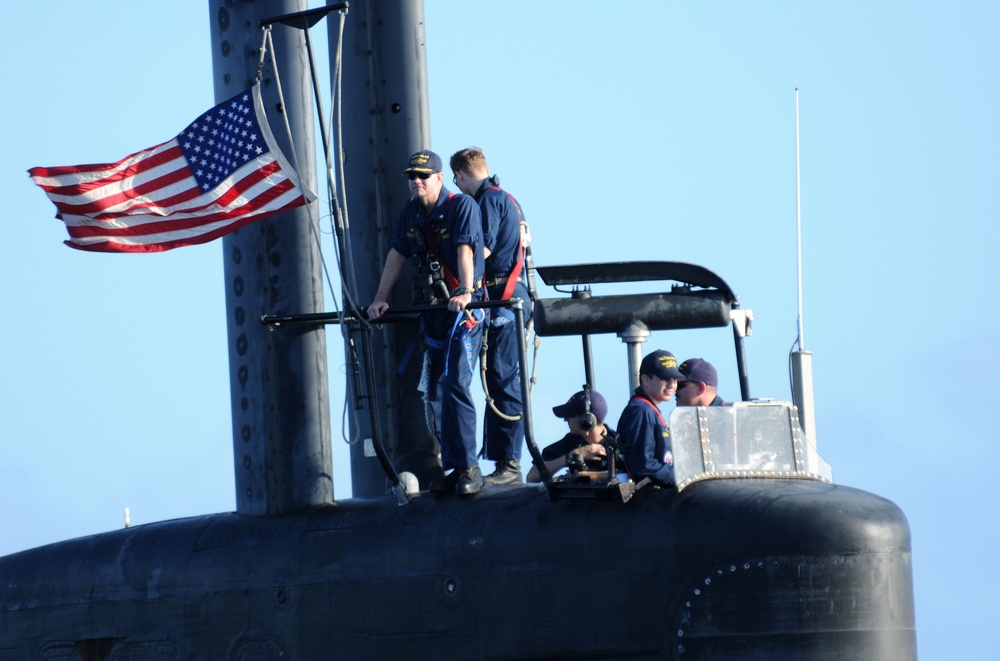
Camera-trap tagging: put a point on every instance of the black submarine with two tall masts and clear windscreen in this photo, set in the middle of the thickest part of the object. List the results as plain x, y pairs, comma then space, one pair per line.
757, 554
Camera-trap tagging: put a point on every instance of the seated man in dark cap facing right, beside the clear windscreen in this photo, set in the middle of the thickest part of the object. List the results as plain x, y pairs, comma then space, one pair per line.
642, 429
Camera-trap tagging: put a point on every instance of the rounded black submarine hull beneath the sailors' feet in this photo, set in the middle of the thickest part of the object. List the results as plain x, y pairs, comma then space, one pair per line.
726, 569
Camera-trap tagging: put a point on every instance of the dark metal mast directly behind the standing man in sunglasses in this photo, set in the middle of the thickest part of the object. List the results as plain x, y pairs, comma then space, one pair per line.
386, 119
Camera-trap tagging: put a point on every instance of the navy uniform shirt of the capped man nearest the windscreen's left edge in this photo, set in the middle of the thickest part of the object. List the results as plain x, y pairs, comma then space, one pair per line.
647, 440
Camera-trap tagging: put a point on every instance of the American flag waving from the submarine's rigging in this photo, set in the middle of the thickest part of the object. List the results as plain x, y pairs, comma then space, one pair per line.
220, 173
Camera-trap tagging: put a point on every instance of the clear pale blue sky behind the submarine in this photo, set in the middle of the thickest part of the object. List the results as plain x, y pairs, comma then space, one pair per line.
635, 130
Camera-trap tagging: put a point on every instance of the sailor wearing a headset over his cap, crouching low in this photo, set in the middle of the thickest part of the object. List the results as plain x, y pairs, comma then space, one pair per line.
584, 444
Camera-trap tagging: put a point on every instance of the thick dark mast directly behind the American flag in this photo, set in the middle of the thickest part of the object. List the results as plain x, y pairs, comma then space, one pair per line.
278, 380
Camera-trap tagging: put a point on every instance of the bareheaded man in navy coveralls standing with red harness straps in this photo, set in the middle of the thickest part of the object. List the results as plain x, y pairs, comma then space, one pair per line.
503, 428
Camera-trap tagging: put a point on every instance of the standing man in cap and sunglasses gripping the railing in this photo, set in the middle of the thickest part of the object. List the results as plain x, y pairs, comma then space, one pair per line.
444, 231
